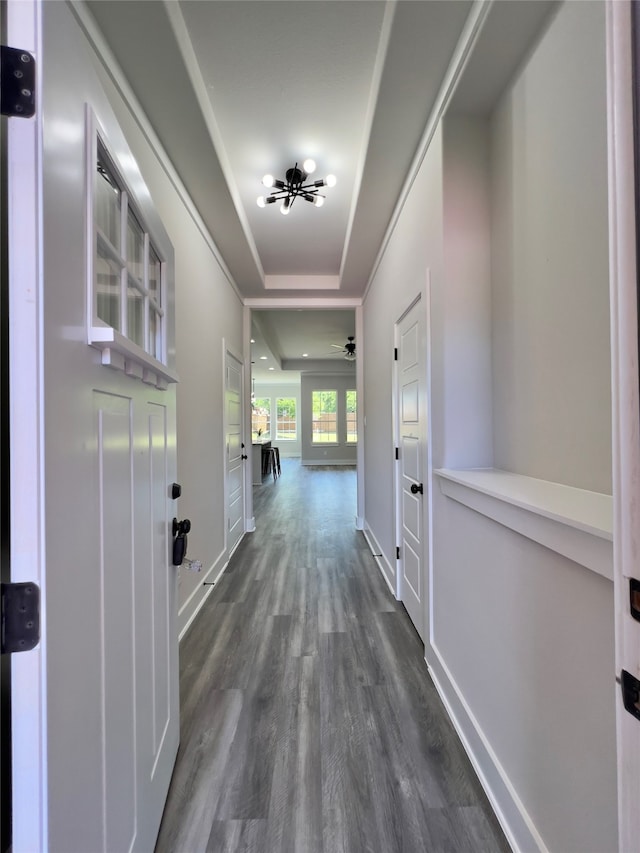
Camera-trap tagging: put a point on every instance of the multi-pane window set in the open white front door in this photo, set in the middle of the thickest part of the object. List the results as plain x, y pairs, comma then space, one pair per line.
127, 289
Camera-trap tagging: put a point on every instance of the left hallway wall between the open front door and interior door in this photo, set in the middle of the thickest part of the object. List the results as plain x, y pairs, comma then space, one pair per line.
208, 311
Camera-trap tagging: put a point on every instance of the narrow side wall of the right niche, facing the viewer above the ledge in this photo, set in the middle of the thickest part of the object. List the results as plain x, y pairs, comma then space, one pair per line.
465, 437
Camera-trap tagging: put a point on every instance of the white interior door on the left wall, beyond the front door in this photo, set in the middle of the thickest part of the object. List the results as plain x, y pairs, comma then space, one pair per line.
235, 452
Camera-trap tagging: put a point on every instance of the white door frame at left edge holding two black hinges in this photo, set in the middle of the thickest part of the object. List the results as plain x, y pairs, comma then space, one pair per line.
26, 426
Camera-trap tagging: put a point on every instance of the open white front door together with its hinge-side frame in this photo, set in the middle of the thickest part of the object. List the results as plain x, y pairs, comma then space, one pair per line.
93, 454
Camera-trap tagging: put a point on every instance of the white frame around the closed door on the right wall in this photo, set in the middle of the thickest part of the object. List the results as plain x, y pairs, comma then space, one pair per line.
423, 297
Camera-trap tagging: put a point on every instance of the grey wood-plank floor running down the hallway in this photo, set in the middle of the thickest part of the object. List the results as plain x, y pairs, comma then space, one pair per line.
309, 721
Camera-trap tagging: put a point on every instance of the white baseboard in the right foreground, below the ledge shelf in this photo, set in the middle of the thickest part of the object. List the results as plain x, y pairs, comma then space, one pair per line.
514, 819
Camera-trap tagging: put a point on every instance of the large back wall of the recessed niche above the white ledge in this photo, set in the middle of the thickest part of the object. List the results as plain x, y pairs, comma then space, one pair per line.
552, 394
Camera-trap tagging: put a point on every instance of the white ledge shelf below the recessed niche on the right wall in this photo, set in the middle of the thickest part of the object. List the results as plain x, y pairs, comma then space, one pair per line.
573, 522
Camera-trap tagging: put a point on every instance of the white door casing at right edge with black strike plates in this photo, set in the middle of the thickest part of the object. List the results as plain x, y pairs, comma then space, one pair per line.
625, 403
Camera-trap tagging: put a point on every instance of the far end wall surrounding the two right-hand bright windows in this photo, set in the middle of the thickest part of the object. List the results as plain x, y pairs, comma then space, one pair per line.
330, 454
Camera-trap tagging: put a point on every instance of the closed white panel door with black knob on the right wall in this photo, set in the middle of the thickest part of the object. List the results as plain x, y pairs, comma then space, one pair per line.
411, 485
